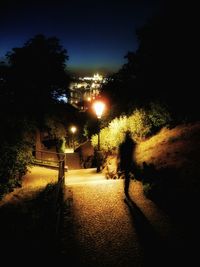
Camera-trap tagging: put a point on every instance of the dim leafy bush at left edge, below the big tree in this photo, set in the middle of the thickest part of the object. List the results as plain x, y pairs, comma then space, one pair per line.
16, 153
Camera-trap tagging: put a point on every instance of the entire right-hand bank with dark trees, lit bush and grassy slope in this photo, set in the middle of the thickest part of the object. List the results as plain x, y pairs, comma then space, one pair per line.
147, 97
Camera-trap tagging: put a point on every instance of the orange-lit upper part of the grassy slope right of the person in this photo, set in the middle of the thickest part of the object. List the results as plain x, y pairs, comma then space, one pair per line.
178, 147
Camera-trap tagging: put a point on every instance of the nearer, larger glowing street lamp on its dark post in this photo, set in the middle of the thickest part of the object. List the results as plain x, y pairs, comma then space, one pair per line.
99, 107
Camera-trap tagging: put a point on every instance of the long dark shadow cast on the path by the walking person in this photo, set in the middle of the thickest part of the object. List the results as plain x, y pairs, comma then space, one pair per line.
157, 252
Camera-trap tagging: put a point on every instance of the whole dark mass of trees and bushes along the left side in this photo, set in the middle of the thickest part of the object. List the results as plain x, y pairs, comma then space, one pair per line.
31, 80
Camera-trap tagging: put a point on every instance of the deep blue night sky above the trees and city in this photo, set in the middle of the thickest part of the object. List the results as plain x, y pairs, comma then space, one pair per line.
96, 34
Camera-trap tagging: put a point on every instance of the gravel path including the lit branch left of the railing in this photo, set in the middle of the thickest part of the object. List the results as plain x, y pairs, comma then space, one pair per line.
99, 228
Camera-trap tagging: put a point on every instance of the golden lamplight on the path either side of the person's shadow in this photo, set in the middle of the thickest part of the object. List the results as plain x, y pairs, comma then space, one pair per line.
102, 222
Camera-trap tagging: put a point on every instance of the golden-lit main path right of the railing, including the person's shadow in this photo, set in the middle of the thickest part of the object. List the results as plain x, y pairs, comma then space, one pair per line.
100, 229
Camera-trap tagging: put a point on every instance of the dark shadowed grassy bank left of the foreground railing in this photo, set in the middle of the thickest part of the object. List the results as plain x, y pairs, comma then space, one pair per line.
28, 225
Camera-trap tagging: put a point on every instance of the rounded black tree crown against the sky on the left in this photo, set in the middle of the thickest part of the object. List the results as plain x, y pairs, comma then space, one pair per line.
37, 73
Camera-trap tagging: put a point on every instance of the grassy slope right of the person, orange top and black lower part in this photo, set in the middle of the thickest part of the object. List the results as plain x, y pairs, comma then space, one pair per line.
175, 155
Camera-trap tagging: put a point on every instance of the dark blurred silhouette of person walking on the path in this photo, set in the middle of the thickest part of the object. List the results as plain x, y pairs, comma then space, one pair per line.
125, 158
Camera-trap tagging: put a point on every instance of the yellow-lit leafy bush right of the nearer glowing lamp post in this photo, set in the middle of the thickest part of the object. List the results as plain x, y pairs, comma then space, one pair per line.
142, 123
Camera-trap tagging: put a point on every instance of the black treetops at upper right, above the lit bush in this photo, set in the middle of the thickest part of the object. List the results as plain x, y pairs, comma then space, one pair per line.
161, 69
